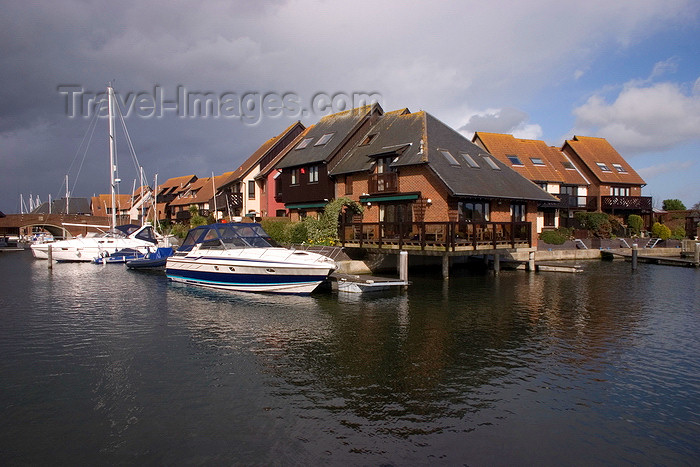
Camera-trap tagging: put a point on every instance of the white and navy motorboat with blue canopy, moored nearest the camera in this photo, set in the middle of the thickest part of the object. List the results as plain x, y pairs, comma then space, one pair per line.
242, 257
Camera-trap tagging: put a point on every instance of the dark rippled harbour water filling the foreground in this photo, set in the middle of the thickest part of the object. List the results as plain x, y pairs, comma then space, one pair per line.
102, 365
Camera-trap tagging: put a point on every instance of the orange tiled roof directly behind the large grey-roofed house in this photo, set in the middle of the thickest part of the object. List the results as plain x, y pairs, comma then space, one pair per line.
550, 168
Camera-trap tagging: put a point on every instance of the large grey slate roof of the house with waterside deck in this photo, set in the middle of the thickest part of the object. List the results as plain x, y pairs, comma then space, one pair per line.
420, 138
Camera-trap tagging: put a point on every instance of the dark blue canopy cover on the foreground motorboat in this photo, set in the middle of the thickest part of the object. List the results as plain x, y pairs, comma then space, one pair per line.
224, 236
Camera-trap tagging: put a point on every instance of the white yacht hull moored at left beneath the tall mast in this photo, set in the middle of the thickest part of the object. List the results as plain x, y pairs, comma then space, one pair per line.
141, 239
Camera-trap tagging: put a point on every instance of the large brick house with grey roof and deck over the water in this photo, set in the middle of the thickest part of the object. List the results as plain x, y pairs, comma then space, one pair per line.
420, 179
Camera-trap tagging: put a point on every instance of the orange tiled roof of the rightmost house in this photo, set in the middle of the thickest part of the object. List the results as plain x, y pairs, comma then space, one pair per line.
592, 151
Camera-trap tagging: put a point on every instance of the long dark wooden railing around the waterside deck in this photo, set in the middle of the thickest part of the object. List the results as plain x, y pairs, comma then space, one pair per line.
444, 236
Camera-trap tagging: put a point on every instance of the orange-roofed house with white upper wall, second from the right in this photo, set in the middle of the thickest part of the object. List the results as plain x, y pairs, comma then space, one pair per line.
546, 166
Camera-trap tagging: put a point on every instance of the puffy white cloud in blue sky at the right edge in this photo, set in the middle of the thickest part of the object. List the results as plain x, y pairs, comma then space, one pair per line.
642, 118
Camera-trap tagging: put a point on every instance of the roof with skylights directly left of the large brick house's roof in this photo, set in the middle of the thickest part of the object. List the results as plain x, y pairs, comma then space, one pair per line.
340, 127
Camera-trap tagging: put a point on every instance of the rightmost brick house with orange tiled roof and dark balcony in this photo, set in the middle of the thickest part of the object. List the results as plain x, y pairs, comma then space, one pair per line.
615, 187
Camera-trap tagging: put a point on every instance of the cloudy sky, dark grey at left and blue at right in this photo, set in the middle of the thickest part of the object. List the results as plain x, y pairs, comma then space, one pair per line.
627, 70
